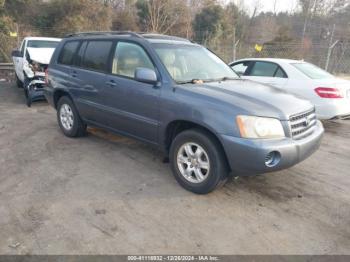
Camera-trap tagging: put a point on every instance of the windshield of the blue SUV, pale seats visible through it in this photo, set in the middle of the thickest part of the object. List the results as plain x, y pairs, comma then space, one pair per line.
186, 63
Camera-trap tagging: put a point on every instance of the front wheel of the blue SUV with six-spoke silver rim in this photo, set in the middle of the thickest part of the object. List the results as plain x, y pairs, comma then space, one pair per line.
197, 161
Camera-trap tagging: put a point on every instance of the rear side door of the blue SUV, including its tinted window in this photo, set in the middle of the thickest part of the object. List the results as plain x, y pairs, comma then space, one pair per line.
88, 79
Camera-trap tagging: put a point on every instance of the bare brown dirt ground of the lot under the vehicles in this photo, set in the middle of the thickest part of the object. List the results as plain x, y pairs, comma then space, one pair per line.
105, 194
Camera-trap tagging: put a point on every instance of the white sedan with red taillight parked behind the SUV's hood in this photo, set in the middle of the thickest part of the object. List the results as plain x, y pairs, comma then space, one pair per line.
330, 95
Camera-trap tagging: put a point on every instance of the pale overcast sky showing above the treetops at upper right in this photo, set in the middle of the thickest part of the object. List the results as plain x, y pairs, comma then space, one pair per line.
268, 5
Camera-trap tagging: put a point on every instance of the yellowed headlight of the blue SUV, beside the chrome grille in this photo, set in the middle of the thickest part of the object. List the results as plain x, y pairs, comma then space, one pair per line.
260, 127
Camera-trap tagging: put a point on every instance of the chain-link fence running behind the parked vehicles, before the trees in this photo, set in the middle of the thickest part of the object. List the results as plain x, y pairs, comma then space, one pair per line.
338, 56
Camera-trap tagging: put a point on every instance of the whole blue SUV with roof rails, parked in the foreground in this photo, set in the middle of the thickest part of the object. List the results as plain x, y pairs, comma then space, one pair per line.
183, 99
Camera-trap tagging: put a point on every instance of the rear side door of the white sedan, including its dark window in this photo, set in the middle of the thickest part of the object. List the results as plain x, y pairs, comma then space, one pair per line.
267, 73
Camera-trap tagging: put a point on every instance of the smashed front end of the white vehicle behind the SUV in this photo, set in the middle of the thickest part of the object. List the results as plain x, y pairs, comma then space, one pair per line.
34, 67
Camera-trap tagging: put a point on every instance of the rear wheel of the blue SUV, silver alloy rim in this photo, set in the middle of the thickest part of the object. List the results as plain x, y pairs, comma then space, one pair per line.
69, 119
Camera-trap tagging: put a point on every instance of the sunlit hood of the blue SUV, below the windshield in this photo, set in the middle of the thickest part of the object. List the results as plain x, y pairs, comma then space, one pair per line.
253, 98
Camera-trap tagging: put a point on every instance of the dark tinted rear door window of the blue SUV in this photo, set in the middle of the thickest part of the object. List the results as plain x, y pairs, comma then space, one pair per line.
96, 55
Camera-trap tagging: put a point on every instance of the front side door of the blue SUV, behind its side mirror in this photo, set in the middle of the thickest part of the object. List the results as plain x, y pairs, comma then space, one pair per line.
133, 106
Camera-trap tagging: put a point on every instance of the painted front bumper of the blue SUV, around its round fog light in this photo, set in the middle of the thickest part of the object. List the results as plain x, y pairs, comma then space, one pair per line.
248, 156
